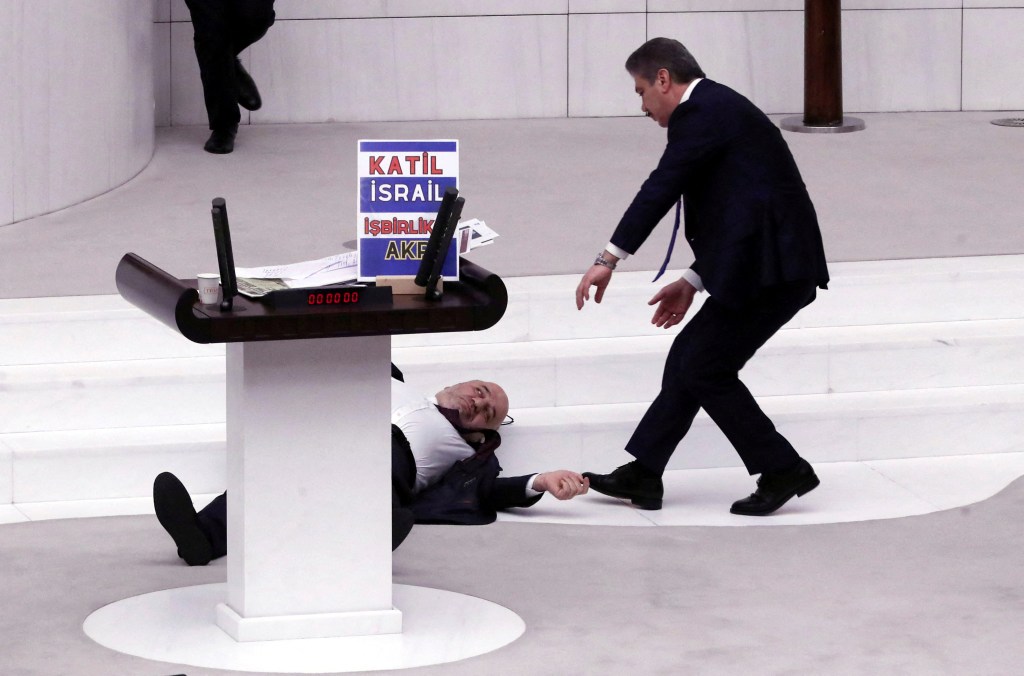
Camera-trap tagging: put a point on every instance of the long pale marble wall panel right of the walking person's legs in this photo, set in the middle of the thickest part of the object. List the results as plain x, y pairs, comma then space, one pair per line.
414, 69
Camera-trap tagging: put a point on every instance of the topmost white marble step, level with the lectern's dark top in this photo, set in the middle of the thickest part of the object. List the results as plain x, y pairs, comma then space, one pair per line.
107, 328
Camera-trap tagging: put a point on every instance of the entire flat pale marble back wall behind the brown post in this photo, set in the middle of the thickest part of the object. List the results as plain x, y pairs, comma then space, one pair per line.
899, 56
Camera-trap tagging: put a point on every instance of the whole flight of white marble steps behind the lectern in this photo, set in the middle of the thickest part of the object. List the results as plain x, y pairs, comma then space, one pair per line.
97, 398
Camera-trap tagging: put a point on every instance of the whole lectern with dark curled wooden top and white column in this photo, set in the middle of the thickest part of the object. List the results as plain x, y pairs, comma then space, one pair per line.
309, 445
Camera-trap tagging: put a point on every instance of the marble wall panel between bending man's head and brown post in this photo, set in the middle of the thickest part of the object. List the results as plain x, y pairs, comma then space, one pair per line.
759, 55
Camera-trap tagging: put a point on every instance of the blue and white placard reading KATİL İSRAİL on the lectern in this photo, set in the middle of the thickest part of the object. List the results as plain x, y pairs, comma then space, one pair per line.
402, 184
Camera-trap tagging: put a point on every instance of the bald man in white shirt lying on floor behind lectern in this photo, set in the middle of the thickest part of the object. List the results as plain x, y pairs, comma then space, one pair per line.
444, 471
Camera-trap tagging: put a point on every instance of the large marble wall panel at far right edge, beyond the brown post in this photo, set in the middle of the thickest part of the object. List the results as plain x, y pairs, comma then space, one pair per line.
994, 50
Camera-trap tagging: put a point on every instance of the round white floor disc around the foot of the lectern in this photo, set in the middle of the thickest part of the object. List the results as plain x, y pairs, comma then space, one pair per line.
179, 626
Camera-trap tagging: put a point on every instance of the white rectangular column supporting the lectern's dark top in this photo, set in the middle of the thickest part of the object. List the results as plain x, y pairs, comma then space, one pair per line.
309, 490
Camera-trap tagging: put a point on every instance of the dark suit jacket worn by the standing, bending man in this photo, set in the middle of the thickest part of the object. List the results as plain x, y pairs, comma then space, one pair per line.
750, 221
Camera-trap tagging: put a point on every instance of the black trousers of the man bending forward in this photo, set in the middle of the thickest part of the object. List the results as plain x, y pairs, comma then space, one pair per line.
703, 371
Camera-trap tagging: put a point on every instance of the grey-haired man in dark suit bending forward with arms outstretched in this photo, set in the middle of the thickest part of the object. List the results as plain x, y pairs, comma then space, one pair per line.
758, 253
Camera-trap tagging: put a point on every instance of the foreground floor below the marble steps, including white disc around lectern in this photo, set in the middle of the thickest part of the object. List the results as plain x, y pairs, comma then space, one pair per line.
522, 564
